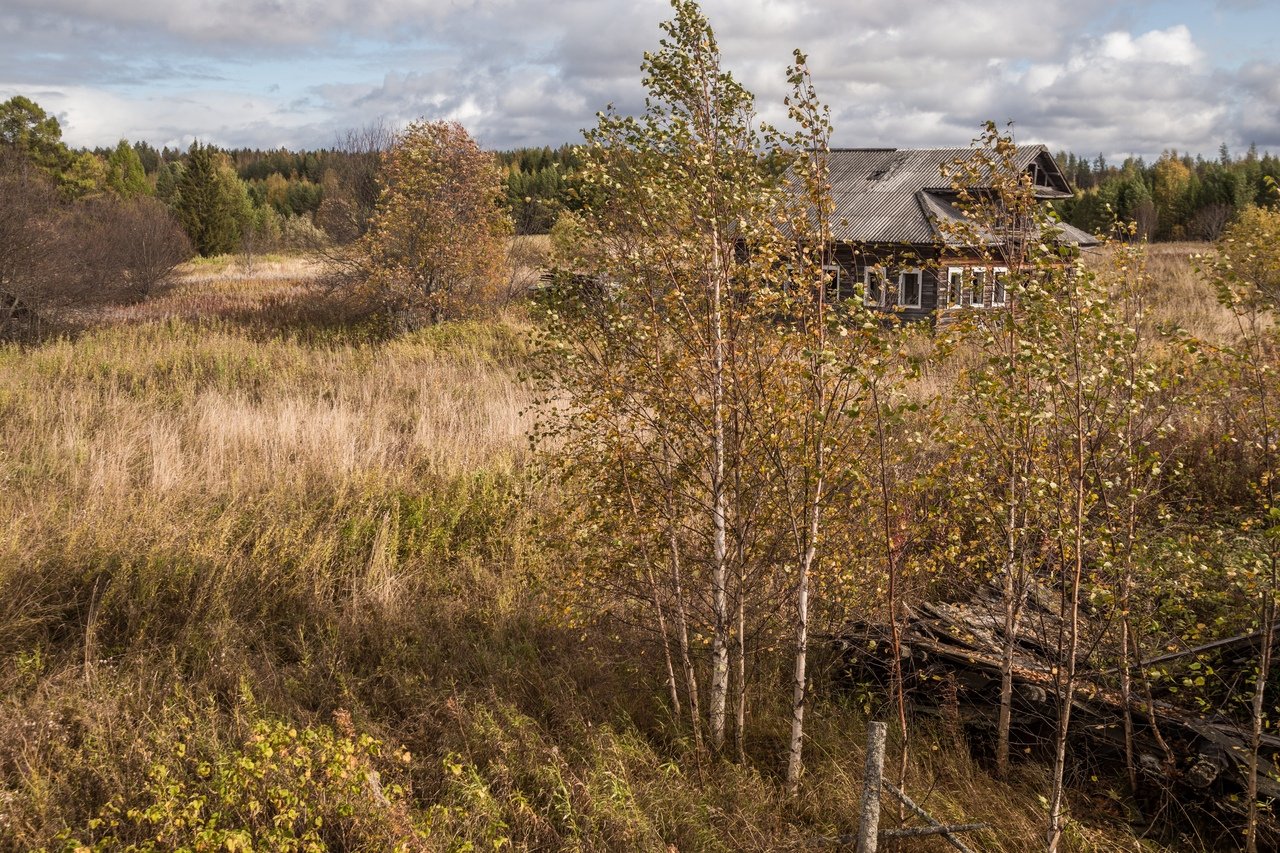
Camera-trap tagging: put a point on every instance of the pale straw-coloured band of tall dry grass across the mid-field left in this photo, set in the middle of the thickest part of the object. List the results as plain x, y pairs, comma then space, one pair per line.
150, 412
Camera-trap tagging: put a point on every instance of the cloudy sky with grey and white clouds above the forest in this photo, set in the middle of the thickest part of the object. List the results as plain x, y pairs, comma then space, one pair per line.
1092, 76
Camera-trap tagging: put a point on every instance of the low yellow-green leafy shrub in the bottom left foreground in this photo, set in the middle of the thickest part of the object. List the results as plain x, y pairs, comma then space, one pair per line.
284, 788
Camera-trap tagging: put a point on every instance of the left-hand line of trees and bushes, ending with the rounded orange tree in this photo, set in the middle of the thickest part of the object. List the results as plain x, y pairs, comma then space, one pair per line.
413, 222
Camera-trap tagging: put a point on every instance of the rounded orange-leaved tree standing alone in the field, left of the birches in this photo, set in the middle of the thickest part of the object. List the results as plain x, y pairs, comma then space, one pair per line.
437, 241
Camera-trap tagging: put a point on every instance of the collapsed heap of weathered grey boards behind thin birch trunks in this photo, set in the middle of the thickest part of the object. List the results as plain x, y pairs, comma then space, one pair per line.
1192, 768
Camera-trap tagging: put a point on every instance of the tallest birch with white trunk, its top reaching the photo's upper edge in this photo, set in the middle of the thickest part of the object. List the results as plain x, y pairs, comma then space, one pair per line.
675, 197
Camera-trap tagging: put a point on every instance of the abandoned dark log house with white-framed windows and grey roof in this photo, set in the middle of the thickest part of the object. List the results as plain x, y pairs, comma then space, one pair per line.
894, 249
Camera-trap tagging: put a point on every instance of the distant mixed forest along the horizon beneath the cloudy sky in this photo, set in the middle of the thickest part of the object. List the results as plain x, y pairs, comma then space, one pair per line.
281, 193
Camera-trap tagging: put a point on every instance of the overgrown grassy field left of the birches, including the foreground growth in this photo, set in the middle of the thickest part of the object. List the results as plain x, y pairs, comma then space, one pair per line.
271, 580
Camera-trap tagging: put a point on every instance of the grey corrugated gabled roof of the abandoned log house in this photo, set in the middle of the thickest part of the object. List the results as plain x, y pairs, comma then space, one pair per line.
898, 195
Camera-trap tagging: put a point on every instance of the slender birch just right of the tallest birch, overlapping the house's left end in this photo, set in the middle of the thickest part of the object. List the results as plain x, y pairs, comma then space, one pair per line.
820, 366
